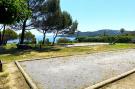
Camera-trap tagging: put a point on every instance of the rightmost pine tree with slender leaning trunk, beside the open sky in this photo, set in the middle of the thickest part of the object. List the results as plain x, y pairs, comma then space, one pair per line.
58, 19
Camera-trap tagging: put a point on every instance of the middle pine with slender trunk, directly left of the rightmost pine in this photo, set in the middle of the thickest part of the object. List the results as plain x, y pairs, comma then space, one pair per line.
43, 22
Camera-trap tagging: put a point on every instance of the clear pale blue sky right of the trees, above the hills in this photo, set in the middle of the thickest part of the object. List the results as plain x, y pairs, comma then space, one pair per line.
95, 15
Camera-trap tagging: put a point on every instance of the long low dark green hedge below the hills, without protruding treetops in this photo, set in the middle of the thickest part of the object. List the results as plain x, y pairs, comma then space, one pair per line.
110, 39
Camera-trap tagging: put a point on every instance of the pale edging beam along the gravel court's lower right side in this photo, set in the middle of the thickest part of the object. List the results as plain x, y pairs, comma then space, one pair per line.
111, 80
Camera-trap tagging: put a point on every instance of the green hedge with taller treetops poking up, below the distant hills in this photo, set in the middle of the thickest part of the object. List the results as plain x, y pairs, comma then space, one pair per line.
123, 37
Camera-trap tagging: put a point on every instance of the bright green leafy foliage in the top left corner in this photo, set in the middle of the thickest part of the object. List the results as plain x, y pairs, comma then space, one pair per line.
10, 10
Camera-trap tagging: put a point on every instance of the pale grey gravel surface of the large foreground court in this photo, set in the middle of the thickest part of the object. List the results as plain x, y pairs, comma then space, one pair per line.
77, 72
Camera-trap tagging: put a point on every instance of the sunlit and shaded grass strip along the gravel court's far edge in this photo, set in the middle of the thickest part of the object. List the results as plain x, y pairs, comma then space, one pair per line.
10, 53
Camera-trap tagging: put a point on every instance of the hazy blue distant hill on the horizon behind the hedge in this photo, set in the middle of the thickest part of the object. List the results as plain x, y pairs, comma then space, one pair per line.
100, 32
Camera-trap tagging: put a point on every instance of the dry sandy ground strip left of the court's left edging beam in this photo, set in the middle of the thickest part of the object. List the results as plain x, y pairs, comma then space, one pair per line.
16, 80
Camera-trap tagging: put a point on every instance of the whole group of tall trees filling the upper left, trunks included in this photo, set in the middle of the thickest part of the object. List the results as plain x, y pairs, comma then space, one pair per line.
42, 15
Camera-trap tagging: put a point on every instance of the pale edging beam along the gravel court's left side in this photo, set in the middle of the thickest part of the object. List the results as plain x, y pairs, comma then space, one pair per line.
31, 84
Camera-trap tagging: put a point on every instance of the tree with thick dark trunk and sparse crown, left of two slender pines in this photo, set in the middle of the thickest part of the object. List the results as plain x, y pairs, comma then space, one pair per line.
32, 11
